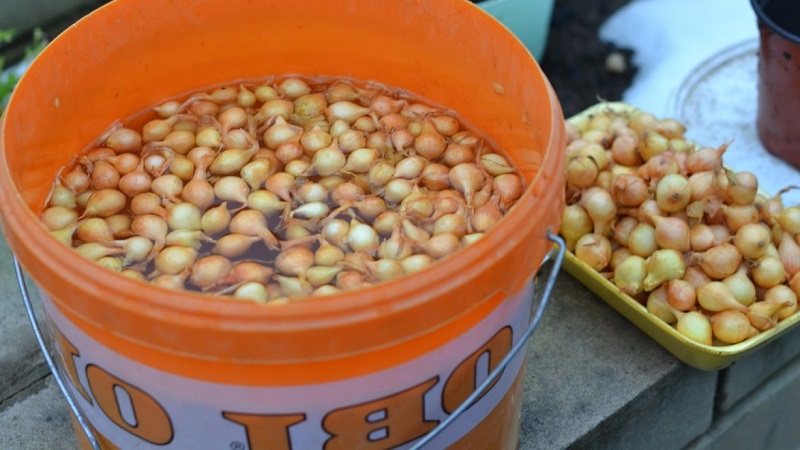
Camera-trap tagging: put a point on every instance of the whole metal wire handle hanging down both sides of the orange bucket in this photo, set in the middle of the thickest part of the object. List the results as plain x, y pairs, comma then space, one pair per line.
522, 342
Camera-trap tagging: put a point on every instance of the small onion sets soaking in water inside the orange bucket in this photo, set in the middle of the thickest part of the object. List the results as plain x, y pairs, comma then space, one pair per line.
285, 188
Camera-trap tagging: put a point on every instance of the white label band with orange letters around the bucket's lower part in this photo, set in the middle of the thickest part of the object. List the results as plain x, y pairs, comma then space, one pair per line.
138, 407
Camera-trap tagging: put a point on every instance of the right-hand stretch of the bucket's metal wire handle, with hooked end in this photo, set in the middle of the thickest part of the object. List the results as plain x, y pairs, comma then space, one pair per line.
522, 342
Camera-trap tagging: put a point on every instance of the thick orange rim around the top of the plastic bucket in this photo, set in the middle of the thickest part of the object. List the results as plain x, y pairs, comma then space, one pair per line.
347, 306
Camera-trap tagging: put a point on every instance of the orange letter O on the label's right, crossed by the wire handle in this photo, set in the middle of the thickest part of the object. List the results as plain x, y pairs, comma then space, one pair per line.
464, 380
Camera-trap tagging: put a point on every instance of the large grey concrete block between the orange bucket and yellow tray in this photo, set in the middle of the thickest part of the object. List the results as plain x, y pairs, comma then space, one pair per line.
595, 380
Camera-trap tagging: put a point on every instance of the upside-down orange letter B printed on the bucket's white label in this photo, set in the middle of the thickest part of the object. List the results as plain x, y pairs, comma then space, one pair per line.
380, 424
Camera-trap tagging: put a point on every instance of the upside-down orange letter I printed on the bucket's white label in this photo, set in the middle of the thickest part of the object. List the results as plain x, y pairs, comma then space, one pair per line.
266, 431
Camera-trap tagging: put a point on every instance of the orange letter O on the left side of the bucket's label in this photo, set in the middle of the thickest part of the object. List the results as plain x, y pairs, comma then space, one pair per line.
146, 419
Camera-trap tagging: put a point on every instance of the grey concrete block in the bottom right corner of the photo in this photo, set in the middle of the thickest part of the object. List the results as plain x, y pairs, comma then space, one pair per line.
765, 420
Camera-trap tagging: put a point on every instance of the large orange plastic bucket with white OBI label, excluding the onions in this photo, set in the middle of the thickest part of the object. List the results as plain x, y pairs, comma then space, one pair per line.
376, 368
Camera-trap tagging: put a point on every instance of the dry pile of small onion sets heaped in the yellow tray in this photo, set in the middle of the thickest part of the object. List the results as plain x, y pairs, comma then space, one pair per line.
671, 226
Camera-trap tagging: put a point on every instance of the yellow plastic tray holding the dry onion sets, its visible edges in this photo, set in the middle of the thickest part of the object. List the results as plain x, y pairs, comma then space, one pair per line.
700, 356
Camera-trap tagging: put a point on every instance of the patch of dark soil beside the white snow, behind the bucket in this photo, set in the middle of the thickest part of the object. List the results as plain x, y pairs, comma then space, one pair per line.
575, 58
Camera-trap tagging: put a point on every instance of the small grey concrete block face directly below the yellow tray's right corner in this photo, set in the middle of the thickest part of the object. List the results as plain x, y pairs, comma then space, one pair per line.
751, 371
